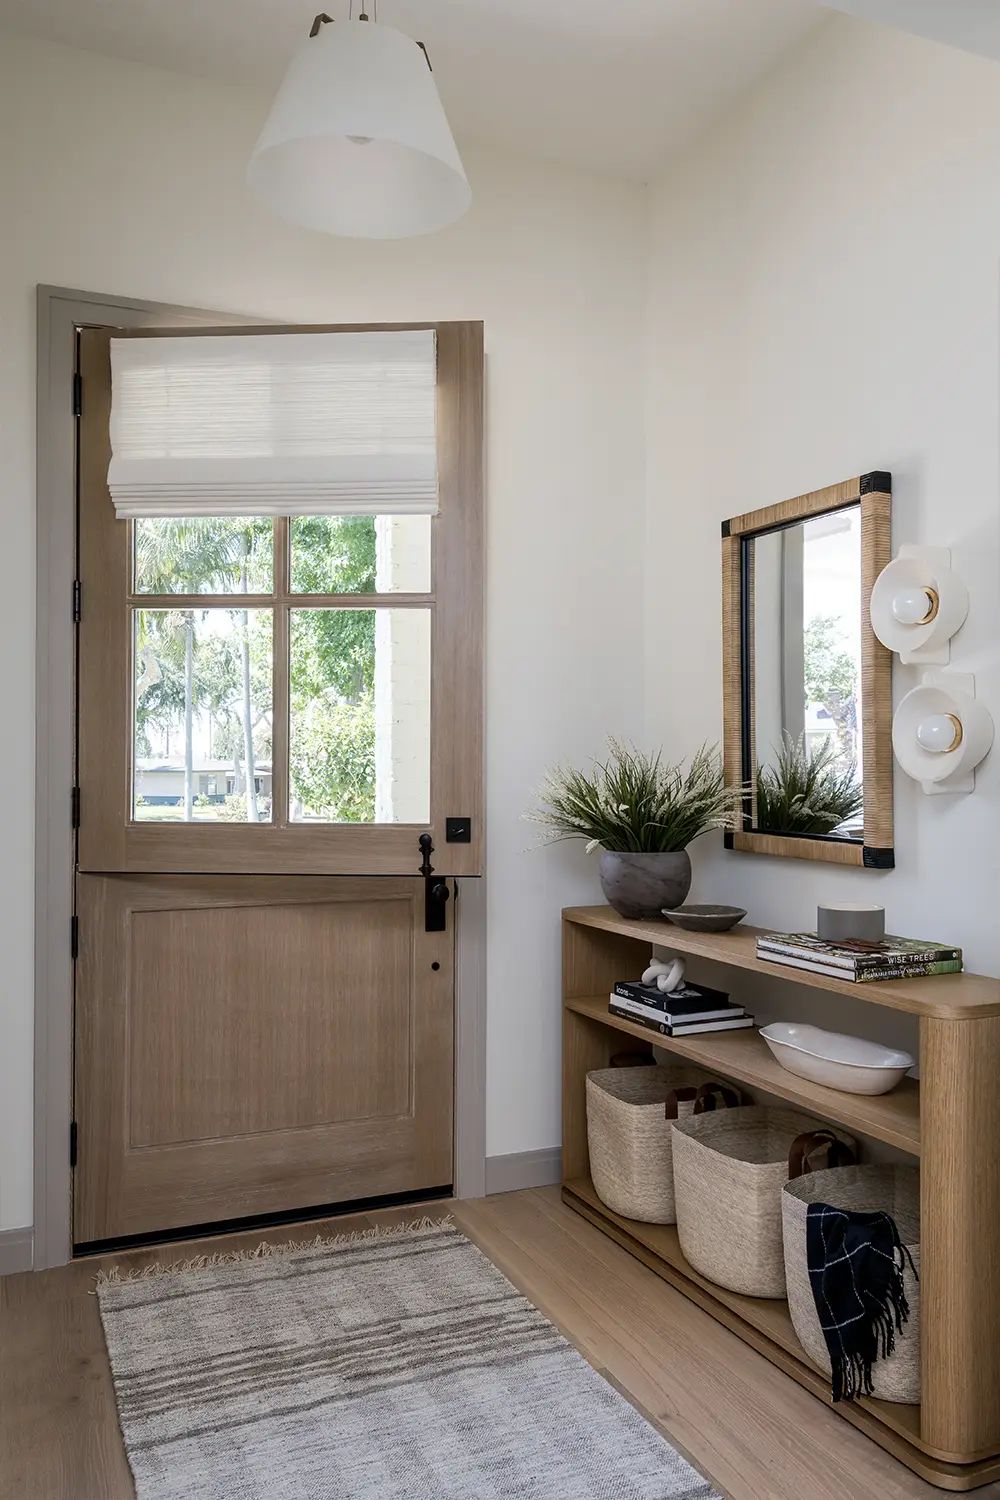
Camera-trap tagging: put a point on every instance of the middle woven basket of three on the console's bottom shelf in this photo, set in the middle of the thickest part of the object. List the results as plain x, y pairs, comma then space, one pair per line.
729, 1169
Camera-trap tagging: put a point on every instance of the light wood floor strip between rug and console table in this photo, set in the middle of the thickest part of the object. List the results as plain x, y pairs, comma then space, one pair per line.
749, 1427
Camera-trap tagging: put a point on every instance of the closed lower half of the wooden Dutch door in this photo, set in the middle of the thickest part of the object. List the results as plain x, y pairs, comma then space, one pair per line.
256, 1045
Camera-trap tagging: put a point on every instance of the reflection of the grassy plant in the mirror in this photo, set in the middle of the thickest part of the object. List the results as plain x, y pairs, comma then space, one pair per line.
807, 793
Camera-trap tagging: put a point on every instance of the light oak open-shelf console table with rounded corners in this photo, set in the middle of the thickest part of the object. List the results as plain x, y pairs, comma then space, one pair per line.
951, 1121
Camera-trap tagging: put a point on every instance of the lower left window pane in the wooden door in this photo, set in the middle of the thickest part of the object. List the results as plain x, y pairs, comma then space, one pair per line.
202, 740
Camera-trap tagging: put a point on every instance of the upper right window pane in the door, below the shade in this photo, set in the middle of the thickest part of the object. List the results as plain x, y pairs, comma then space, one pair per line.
361, 554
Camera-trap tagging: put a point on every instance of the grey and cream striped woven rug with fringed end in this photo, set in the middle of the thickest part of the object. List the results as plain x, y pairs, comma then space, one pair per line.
397, 1364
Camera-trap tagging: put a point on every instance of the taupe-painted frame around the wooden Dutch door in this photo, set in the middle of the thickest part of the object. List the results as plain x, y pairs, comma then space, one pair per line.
61, 311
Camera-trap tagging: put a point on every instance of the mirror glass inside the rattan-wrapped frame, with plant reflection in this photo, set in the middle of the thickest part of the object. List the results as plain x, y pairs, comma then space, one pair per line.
804, 748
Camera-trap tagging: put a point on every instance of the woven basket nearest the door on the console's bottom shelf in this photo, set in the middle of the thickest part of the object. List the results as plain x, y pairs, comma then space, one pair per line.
629, 1136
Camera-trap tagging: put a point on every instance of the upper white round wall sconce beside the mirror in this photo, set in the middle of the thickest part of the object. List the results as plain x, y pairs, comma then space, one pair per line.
918, 605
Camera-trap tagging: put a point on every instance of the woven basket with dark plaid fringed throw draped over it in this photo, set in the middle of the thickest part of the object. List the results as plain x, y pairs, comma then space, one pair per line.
863, 1190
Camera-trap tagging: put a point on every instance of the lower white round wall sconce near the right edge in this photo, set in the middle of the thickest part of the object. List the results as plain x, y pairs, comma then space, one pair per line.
941, 733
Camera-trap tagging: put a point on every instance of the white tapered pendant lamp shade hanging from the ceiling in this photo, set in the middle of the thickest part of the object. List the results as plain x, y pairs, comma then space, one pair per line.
358, 142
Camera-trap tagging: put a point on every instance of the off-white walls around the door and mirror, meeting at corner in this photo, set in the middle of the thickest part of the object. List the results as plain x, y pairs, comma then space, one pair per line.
825, 299
